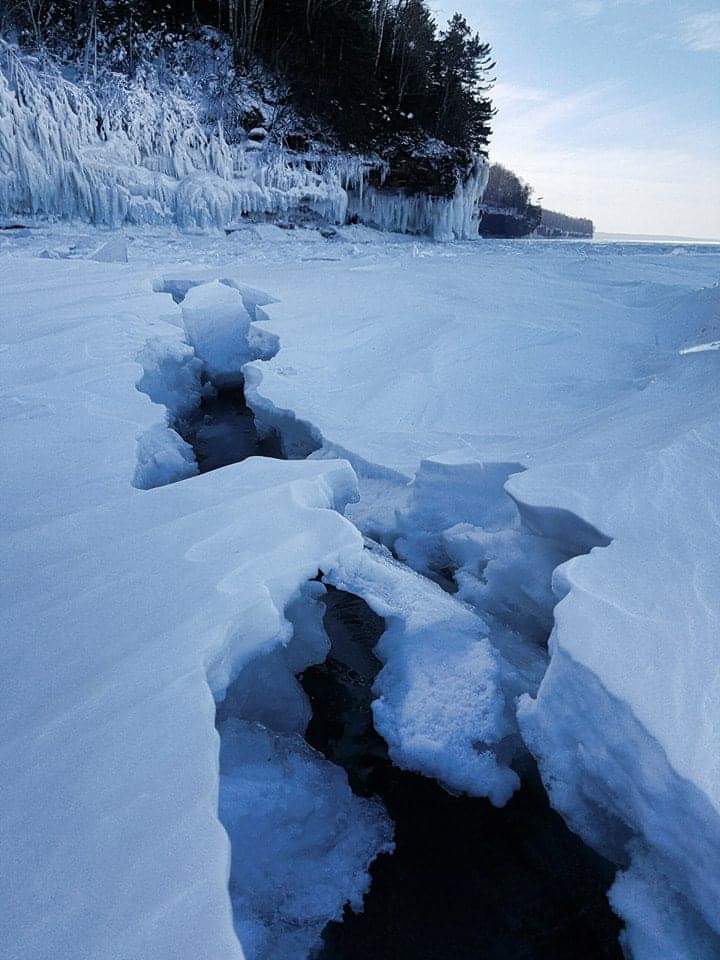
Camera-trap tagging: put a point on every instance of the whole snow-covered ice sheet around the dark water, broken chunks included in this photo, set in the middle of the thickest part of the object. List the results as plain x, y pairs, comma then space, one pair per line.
528, 424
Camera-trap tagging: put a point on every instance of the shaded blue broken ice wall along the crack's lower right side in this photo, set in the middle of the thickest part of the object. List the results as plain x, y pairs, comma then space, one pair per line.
614, 785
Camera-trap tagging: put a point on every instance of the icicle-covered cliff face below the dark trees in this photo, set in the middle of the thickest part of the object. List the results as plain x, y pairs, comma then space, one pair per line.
145, 157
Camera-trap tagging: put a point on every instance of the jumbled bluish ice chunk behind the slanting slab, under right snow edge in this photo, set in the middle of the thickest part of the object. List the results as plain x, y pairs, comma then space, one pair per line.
461, 527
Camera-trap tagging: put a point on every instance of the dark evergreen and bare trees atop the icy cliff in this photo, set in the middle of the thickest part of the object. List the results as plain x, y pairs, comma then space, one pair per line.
370, 70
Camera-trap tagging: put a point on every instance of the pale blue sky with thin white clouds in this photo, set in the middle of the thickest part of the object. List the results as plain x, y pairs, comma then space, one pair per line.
609, 108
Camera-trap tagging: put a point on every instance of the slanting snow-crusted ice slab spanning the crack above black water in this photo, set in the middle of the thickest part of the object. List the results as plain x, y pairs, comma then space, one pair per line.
440, 704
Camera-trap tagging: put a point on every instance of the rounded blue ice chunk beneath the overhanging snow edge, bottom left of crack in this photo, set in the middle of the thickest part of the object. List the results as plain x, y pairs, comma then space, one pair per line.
301, 841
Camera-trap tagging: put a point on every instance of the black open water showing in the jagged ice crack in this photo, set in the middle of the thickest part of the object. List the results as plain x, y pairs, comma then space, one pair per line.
467, 881
